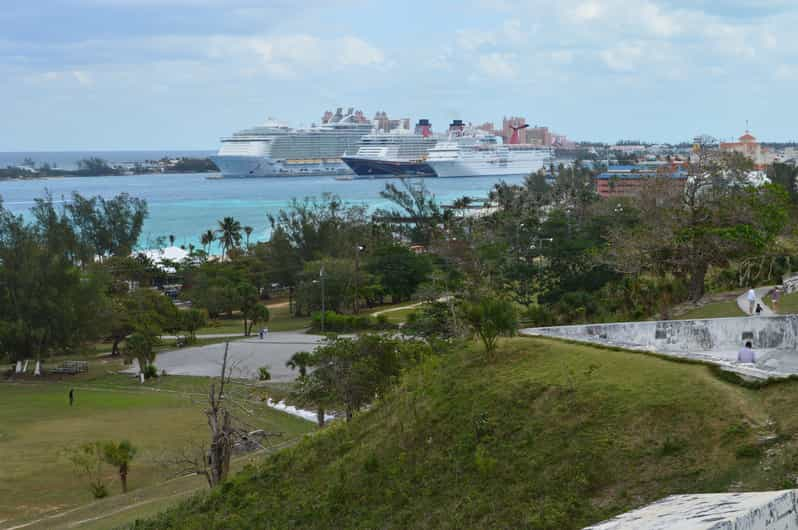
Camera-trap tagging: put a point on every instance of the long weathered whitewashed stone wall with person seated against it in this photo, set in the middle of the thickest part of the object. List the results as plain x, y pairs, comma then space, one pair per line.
716, 340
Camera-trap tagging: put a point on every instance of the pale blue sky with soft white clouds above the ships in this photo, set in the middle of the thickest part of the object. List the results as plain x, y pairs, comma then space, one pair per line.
179, 74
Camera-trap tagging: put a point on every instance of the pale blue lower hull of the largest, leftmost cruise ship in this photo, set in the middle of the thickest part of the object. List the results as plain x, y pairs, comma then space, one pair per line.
264, 167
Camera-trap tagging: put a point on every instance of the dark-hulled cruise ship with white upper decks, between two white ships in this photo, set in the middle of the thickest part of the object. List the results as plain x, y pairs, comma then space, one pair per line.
394, 154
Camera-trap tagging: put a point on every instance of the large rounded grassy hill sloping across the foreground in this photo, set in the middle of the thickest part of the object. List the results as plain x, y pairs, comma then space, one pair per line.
554, 435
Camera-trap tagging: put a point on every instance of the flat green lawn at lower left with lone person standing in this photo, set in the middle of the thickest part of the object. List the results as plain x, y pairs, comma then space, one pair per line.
38, 427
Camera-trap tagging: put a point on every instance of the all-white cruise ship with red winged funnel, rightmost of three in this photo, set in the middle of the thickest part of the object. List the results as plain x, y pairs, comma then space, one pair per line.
482, 155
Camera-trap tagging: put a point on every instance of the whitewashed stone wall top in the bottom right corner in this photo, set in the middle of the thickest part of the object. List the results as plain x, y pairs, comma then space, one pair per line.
763, 510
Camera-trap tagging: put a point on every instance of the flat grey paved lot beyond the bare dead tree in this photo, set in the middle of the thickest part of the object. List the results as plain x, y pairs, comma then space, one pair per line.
246, 356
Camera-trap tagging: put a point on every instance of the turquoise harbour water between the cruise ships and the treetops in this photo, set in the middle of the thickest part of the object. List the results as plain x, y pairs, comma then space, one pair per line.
188, 204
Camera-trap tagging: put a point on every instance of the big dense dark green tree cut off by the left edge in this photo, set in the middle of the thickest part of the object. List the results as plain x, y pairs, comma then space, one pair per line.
47, 302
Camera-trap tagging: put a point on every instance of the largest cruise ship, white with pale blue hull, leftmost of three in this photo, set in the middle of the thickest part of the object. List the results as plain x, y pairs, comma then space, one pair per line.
275, 150
